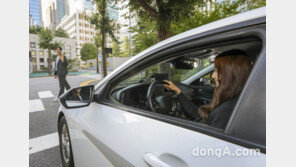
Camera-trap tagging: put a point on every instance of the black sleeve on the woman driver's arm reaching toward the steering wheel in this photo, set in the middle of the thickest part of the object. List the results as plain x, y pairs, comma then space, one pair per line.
190, 110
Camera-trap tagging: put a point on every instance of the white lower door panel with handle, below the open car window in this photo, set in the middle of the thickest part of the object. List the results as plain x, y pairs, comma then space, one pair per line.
112, 136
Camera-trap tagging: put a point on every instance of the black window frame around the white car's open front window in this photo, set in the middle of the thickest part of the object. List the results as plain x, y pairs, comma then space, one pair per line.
198, 127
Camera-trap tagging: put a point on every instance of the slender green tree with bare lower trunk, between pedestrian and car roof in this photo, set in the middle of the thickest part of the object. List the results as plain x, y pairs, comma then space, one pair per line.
104, 26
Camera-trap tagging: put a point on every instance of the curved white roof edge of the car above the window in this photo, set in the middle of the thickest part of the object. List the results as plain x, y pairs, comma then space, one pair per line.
242, 17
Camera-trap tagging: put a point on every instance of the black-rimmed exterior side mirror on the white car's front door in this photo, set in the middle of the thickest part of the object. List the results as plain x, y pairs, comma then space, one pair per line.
78, 97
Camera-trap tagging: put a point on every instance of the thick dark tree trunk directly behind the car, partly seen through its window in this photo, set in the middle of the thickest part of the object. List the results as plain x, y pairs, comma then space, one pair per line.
163, 32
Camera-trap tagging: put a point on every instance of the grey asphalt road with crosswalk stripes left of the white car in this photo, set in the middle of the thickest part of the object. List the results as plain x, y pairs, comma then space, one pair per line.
43, 121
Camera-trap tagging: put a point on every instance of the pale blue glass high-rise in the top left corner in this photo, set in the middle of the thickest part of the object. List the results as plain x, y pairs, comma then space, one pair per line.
35, 13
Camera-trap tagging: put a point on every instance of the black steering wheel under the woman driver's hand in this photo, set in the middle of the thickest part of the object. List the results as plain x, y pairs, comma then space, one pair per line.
165, 103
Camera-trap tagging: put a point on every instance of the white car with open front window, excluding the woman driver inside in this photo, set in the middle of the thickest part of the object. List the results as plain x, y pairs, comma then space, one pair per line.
123, 121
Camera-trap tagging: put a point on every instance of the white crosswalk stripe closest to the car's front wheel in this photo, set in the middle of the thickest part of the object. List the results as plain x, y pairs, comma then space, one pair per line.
43, 142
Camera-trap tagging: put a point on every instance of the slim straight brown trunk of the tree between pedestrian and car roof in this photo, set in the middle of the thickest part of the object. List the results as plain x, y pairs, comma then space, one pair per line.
103, 40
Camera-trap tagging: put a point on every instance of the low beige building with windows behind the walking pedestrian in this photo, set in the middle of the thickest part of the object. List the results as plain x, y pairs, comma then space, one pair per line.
39, 56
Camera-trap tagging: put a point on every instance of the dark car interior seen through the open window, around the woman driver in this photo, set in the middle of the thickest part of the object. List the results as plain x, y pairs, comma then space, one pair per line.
145, 91
